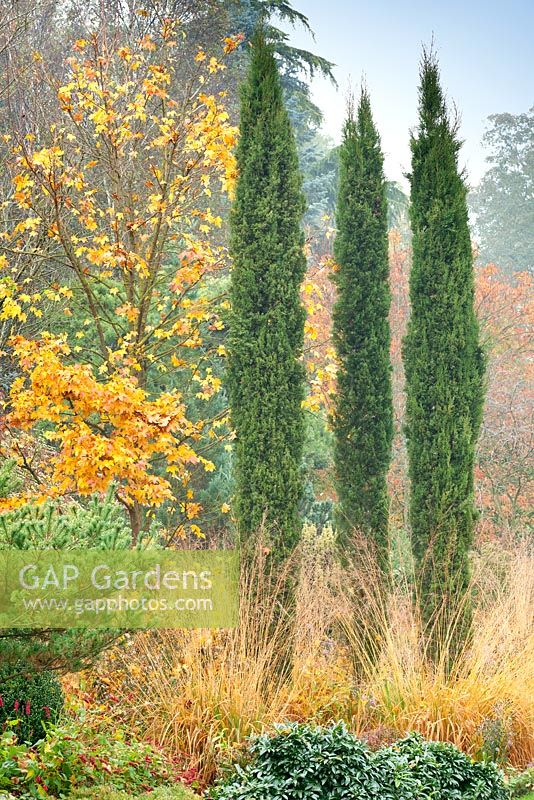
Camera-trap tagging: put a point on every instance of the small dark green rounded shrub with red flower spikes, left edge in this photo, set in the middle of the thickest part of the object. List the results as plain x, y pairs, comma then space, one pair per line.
29, 700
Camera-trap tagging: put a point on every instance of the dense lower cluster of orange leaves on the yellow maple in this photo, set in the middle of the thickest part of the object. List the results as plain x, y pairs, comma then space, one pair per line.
105, 432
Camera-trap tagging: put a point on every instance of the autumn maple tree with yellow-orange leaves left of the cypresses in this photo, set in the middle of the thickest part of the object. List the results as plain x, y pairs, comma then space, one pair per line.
115, 209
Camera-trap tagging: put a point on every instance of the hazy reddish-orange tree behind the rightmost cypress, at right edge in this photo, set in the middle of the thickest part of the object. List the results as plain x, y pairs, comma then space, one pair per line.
505, 486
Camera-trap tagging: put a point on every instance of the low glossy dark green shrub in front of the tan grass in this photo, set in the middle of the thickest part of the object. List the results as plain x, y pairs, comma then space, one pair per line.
306, 763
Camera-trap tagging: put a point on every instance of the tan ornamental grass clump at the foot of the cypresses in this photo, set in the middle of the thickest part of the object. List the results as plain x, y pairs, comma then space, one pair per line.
200, 694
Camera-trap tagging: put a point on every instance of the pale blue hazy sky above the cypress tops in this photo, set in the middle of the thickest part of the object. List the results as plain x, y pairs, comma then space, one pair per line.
485, 49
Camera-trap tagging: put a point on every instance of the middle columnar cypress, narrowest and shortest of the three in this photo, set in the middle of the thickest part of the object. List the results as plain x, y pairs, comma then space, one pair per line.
363, 420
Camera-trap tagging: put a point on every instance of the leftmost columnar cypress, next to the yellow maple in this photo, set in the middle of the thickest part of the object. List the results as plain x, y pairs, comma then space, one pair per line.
265, 377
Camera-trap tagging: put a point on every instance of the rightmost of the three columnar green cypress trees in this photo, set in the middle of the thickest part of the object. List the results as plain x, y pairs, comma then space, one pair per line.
444, 366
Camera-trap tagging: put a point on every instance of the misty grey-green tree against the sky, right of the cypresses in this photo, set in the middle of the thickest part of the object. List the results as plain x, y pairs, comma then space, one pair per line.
503, 203
